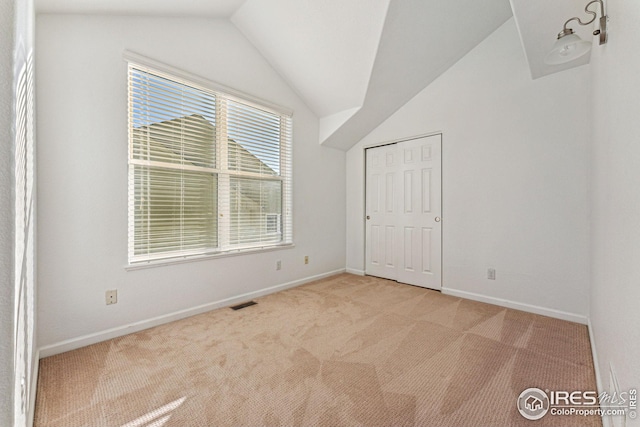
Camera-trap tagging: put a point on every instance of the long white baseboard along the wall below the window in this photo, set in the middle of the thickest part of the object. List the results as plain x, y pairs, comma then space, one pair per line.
108, 334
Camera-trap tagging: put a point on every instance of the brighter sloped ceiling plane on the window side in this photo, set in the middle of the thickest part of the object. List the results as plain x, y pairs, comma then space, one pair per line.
324, 48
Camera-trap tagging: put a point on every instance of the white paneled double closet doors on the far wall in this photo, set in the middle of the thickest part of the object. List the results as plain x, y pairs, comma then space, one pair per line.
404, 207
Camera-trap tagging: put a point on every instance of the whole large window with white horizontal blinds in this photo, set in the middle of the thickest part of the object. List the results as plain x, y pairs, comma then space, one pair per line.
209, 172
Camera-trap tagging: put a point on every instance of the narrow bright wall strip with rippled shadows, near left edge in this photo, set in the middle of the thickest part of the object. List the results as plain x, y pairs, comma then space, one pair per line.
26, 361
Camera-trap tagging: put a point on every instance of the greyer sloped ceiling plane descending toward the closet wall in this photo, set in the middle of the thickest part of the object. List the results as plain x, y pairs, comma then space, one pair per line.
420, 40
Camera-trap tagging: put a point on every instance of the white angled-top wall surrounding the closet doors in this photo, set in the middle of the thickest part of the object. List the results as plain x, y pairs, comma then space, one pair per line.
515, 175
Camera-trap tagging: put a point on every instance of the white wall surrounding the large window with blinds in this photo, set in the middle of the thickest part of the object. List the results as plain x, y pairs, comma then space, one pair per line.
82, 108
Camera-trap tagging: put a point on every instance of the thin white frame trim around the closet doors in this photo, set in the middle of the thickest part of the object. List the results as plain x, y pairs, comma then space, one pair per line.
364, 189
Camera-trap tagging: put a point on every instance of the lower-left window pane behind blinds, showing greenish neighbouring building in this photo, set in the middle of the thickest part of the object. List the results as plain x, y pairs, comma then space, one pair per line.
174, 210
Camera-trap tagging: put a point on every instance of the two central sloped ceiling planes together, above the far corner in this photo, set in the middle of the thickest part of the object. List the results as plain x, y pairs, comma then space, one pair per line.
357, 62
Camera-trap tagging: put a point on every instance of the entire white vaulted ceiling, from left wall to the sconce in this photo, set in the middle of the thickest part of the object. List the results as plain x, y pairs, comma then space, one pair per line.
355, 62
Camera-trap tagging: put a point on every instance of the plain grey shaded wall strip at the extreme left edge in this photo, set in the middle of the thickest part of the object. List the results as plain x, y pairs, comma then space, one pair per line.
7, 313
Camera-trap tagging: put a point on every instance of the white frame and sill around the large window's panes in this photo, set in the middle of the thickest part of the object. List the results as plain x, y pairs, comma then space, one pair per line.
285, 227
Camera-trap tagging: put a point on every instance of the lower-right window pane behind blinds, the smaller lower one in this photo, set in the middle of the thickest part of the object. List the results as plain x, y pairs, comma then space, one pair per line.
256, 211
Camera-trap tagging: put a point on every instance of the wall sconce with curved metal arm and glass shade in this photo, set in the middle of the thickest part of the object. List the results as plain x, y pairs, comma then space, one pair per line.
569, 46
